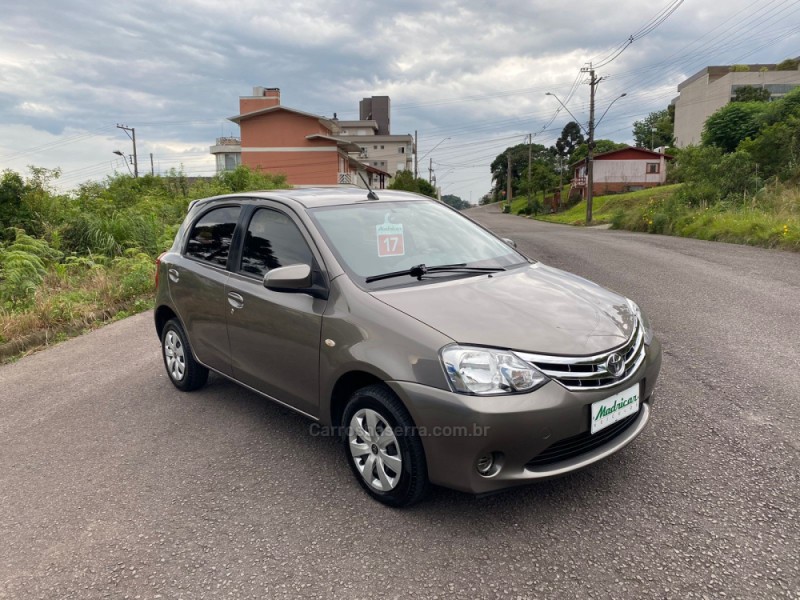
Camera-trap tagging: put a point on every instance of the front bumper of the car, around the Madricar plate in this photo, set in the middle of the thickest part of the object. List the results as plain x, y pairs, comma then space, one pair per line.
456, 430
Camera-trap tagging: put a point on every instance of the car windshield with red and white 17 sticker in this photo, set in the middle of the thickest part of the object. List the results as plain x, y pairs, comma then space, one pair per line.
384, 237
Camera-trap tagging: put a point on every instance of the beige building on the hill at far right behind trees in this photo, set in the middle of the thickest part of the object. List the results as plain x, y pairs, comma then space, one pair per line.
712, 88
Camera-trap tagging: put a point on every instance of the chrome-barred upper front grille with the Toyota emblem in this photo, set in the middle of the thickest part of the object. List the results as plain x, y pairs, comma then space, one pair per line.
590, 372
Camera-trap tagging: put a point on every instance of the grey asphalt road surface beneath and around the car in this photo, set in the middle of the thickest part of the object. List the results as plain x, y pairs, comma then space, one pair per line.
113, 484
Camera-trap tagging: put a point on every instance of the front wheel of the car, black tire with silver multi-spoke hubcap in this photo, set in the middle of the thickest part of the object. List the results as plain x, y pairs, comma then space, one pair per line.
383, 448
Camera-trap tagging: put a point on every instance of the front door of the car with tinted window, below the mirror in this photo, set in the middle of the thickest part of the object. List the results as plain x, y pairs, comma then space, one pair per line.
275, 336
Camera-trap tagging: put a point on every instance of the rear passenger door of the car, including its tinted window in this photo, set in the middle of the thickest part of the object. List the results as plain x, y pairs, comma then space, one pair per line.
197, 281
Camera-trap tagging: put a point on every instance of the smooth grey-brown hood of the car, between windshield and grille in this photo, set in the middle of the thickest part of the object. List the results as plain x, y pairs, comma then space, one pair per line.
532, 309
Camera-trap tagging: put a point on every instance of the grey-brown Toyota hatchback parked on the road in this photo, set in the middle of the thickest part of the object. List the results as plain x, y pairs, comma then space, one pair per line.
436, 351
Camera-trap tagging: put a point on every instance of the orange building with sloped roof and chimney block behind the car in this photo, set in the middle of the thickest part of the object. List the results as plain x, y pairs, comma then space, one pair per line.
300, 145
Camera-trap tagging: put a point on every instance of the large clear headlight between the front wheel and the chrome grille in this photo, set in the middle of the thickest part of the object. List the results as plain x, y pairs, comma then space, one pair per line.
485, 371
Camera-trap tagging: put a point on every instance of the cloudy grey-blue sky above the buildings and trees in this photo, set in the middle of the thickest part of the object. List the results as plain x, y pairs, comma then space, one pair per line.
470, 76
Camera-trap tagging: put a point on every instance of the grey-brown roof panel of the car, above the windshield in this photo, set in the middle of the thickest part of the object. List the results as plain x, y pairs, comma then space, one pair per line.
314, 197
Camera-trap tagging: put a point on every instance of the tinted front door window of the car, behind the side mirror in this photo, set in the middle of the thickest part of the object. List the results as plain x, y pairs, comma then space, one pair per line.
272, 240
